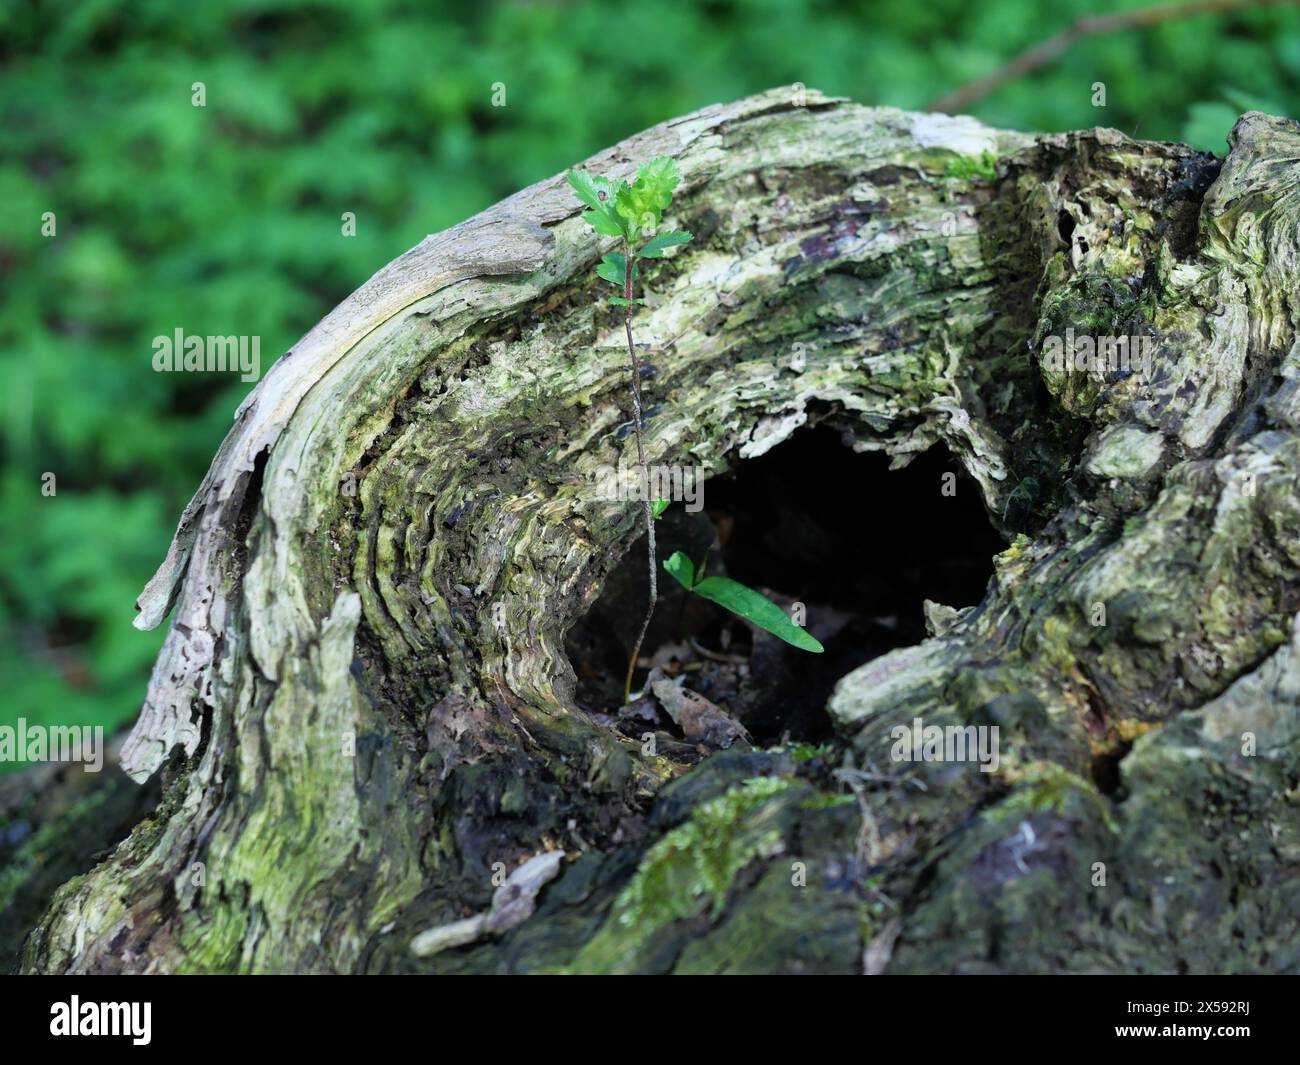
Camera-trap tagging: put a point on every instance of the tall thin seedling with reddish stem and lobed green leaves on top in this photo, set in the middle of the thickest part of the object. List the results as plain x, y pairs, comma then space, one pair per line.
632, 211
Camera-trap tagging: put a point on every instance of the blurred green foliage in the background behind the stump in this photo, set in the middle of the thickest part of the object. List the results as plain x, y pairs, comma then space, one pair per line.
227, 219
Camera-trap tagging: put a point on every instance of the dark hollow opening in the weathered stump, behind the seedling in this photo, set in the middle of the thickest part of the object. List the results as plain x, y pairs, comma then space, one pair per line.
812, 522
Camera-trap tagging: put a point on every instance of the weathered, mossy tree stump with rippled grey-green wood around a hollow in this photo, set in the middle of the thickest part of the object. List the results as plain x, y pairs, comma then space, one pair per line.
365, 694
